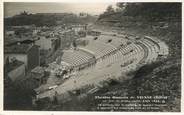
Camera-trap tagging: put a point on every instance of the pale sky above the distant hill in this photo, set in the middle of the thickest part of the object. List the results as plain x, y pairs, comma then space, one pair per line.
13, 8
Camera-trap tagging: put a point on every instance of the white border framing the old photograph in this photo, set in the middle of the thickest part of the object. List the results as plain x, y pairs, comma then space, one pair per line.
76, 112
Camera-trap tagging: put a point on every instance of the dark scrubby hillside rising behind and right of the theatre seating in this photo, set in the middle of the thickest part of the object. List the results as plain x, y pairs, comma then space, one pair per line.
164, 22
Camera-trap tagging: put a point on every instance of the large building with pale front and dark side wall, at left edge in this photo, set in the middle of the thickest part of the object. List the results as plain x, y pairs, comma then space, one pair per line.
29, 54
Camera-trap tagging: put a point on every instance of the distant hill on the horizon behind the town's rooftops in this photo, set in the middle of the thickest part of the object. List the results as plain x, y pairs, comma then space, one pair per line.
47, 19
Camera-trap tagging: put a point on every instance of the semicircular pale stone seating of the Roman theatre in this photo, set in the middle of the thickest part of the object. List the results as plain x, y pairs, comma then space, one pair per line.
117, 60
